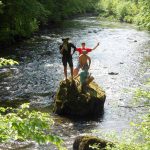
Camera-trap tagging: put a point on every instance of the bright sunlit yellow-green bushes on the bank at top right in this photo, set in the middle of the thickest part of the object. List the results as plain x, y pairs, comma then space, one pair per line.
131, 11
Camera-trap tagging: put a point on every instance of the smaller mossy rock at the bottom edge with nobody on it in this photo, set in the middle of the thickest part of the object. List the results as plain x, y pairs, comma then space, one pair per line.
84, 143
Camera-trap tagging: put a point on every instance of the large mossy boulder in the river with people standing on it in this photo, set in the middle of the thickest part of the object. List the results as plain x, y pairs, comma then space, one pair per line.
70, 100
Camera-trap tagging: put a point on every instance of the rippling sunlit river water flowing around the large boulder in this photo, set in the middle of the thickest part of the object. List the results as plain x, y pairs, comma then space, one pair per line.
118, 66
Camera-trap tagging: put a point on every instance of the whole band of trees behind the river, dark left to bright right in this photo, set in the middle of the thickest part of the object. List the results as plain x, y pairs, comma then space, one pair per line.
20, 18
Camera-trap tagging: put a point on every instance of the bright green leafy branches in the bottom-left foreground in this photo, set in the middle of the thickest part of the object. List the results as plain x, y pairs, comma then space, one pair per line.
22, 124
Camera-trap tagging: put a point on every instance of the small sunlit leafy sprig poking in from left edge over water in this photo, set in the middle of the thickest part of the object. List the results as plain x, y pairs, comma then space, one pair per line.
7, 62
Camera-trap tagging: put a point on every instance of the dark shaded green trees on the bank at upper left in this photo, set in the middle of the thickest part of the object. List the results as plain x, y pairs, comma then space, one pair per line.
20, 18
